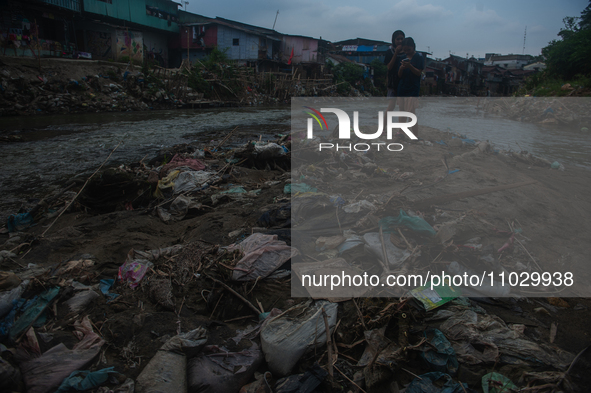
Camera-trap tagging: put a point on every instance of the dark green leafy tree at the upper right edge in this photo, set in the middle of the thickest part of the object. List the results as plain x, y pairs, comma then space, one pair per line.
570, 55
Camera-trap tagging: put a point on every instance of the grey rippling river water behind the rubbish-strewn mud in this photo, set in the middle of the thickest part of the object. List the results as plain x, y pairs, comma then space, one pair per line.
59, 147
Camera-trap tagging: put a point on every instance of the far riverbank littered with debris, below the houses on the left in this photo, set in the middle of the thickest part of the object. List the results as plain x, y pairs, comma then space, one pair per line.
30, 87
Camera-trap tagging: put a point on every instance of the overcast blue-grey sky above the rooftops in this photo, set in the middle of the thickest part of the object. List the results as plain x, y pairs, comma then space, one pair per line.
440, 27
